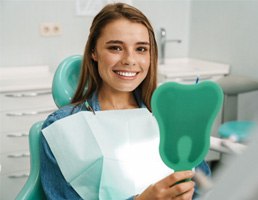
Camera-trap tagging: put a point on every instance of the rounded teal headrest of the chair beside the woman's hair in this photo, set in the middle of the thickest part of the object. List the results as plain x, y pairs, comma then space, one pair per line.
66, 79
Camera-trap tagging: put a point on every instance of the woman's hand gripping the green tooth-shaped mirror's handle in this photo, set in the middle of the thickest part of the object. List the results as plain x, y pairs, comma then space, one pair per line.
167, 189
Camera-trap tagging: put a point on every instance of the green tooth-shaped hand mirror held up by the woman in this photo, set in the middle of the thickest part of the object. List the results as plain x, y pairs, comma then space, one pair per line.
185, 114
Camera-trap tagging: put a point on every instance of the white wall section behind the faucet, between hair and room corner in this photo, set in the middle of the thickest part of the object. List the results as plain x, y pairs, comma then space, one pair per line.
173, 15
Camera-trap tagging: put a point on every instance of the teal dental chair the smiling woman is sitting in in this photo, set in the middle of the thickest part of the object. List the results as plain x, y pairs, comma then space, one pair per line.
63, 88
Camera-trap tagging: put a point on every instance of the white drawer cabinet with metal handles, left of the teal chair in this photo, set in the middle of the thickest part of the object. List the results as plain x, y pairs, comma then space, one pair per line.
25, 96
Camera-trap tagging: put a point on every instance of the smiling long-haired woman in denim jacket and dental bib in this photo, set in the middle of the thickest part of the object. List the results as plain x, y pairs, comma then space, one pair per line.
119, 70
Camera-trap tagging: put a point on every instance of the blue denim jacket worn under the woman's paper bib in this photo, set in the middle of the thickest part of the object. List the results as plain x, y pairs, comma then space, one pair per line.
54, 184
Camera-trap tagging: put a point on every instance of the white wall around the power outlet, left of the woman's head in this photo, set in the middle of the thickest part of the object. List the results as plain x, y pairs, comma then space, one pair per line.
22, 42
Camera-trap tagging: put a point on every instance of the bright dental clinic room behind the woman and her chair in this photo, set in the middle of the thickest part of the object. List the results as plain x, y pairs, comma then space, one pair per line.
198, 40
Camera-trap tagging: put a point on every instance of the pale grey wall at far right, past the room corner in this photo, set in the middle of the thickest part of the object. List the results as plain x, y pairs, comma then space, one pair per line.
226, 31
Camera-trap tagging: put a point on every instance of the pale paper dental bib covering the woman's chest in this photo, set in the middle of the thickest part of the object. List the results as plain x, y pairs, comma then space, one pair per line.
109, 155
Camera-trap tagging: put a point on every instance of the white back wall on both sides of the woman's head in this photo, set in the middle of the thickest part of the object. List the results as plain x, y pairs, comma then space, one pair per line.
22, 44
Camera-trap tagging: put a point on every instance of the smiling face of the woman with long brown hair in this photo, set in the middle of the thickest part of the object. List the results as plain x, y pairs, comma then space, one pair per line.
123, 55
